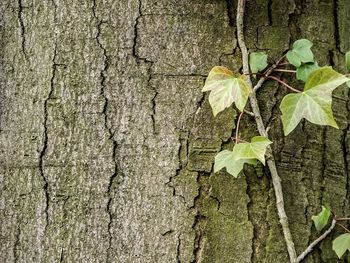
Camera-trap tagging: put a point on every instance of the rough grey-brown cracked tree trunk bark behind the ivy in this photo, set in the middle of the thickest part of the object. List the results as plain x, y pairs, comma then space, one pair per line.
107, 142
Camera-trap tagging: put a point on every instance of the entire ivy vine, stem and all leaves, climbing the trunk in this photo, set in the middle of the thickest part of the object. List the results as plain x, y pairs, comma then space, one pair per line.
312, 104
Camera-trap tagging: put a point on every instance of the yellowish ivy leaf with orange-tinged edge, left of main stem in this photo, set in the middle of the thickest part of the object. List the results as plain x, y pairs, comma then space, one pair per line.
225, 89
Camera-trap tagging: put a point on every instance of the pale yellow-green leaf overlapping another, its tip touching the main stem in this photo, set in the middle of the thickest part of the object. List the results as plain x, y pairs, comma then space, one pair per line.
254, 150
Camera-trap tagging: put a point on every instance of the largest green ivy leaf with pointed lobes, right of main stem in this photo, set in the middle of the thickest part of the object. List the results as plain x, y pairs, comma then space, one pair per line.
315, 102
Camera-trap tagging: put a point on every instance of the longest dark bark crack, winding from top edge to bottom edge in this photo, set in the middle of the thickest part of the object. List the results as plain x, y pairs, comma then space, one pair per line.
108, 128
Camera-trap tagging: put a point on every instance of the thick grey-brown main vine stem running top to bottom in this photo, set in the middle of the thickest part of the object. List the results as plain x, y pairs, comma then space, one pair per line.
276, 180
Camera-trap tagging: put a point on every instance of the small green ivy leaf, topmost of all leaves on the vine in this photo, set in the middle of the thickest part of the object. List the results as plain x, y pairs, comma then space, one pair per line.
301, 53
